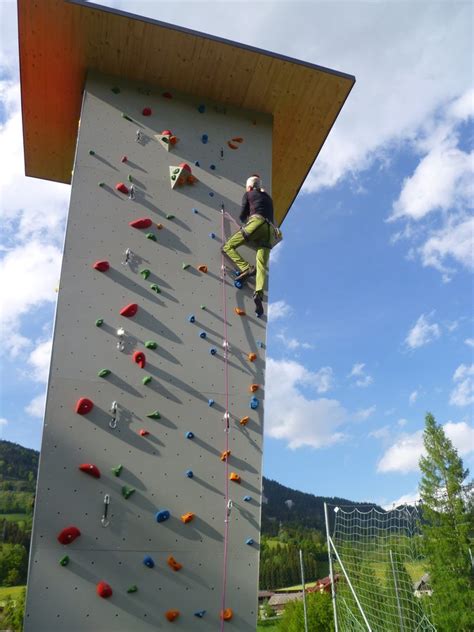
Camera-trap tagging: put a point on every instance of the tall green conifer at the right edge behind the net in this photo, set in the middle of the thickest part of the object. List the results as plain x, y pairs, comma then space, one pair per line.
446, 526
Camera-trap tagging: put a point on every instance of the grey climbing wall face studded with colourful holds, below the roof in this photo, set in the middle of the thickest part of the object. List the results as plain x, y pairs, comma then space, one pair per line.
153, 346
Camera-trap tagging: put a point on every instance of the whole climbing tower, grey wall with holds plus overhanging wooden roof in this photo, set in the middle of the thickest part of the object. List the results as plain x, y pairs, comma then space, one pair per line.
149, 491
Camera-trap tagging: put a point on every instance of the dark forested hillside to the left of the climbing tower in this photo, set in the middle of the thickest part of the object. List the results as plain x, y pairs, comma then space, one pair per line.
18, 467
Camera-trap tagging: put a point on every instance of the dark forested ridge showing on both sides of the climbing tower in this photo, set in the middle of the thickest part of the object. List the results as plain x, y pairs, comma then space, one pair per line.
282, 505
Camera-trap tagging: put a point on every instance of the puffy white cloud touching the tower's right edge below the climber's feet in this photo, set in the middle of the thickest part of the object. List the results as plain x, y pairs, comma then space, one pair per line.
293, 416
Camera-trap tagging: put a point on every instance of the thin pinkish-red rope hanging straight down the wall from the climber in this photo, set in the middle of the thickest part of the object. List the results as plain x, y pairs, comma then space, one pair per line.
226, 419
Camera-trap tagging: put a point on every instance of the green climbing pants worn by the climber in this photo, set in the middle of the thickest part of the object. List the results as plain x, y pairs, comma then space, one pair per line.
255, 233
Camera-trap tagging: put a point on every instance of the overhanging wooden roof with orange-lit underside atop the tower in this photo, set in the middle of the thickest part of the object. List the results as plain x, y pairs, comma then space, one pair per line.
60, 39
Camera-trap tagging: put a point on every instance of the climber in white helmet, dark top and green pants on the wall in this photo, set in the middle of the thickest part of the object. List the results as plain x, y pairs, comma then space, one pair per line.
258, 231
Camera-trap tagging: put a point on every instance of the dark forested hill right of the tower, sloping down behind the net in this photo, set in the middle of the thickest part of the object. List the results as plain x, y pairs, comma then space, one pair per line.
286, 506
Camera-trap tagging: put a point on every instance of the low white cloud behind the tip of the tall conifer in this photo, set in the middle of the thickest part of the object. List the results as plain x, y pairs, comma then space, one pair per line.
404, 454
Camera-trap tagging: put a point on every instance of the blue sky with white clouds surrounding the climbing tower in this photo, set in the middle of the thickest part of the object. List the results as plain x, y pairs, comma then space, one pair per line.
370, 315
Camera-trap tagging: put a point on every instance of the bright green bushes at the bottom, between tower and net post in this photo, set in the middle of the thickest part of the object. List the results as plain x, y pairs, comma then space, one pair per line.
319, 610
